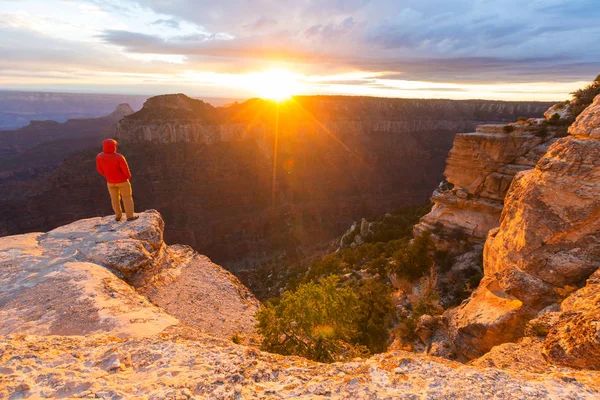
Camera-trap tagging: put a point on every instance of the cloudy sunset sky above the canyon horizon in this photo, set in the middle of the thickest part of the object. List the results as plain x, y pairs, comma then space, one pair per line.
460, 49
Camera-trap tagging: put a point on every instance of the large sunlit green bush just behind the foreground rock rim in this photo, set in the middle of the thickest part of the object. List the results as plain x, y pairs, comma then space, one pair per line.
318, 321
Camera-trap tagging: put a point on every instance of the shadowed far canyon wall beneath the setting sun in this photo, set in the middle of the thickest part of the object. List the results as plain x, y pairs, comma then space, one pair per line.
209, 170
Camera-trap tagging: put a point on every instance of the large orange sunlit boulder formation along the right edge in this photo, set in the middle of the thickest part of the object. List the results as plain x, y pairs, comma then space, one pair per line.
548, 240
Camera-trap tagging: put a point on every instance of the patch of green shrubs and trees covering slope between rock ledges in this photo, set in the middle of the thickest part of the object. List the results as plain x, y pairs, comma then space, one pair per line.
342, 306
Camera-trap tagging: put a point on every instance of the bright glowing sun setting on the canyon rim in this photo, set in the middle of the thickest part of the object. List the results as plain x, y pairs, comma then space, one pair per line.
276, 84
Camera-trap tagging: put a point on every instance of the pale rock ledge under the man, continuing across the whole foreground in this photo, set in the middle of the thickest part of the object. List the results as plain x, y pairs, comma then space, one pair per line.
104, 309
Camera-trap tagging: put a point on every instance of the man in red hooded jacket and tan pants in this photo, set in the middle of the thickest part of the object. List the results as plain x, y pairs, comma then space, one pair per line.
114, 168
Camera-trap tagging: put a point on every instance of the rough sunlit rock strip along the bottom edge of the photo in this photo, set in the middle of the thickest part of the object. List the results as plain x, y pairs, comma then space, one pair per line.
177, 365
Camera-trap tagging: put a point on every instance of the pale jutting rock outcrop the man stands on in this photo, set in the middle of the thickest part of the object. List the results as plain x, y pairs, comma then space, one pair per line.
81, 278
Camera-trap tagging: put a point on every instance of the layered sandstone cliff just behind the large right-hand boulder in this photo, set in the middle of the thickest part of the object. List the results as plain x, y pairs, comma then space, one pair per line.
479, 171
